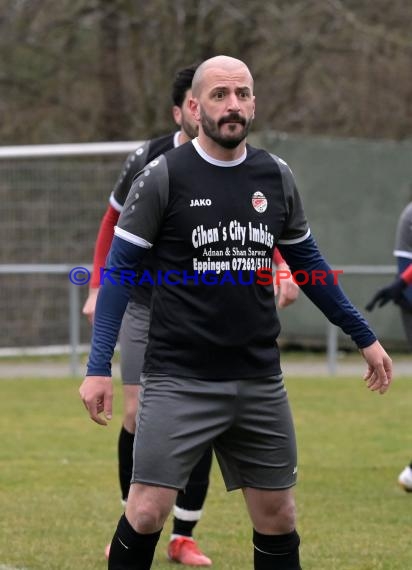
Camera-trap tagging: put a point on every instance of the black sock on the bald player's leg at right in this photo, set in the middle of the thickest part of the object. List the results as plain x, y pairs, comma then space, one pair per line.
276, 552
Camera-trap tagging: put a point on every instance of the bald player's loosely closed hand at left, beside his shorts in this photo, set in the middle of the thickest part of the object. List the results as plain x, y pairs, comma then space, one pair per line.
97, 395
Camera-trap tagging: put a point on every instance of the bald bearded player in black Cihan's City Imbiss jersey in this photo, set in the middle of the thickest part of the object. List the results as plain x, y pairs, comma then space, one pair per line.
214, 210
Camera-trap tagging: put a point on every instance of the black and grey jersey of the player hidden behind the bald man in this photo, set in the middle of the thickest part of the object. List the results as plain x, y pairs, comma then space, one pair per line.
134, 163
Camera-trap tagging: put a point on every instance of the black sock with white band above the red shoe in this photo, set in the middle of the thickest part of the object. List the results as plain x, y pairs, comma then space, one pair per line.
189, 502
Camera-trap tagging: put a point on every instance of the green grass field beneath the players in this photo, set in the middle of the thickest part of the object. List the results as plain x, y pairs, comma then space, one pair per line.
59, 498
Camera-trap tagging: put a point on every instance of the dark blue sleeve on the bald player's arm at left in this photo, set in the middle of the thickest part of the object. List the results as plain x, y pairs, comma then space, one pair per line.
115, 283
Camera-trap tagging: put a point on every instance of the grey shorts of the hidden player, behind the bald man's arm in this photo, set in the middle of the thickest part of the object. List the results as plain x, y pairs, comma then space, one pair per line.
133, 341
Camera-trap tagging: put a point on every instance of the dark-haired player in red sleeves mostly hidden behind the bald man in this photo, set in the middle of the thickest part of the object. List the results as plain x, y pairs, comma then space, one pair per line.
133, 333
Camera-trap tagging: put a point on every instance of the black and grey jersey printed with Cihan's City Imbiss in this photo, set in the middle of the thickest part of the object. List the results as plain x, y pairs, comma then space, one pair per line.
214, 226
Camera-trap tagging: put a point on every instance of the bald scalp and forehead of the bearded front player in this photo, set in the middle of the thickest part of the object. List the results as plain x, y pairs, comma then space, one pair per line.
219, 66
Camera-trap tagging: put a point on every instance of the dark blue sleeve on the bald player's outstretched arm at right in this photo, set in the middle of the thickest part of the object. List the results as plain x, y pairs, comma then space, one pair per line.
324, 291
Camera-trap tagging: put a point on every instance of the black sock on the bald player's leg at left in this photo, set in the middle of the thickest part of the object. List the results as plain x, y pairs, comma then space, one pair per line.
130, 550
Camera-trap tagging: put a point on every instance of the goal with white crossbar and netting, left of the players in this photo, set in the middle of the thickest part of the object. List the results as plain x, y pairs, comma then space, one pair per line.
52, 198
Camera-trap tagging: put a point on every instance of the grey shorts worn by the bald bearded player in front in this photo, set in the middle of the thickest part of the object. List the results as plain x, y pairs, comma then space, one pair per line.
248, 422
